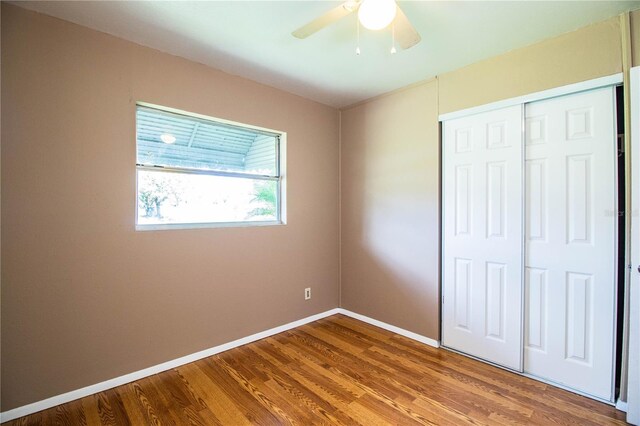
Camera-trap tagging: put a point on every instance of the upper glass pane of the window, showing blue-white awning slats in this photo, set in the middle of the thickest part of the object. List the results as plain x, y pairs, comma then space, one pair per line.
174, 140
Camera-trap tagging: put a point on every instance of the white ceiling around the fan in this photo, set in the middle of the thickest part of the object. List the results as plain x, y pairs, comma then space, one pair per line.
253, 38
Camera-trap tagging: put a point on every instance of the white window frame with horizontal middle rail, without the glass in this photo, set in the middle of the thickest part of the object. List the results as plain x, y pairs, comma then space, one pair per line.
279, 177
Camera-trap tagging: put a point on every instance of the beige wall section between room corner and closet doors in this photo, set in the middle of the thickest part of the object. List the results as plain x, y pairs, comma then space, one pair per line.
390, 209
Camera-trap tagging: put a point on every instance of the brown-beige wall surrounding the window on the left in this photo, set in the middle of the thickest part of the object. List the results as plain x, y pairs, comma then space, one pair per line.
86, 298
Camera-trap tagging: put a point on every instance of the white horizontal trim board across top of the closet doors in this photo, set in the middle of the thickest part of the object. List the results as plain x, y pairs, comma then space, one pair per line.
596, 83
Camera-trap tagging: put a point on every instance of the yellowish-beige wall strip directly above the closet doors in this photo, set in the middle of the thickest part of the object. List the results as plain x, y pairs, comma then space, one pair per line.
588, 53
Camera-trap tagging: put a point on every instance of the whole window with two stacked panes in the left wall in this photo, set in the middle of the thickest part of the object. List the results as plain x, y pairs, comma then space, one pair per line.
197, 172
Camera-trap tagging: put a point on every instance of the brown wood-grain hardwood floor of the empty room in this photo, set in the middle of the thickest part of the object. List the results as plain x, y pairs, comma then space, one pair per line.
334, 371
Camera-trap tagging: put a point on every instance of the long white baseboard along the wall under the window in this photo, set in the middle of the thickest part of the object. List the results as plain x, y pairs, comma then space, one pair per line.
137, 375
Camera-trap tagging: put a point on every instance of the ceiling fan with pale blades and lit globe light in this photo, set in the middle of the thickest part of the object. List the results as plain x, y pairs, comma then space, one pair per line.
372, 14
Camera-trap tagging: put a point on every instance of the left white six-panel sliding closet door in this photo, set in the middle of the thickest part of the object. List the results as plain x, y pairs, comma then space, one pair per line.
482, 236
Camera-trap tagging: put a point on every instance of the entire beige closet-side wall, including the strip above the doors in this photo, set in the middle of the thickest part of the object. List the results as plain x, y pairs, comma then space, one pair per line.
390, 169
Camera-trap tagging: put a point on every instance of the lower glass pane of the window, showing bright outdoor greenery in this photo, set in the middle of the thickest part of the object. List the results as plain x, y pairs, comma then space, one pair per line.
166, 197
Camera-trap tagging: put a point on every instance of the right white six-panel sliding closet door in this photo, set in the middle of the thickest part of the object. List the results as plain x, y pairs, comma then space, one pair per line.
570, 262
